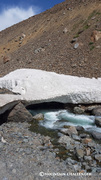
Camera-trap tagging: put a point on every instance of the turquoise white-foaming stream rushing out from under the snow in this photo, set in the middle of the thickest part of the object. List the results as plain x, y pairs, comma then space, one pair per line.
57, 119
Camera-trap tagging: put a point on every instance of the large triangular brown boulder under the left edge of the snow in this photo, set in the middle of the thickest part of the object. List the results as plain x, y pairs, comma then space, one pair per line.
19, 114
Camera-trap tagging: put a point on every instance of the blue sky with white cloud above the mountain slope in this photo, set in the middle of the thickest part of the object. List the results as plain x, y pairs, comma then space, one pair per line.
14, 11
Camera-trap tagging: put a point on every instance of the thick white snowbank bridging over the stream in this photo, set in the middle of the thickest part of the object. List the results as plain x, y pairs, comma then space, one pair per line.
35, 86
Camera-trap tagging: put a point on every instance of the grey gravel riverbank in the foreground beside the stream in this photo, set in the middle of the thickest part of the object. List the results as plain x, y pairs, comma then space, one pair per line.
28, 156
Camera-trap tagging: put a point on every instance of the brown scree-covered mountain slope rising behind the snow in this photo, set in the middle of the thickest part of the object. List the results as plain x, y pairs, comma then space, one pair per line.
65, 39
